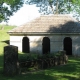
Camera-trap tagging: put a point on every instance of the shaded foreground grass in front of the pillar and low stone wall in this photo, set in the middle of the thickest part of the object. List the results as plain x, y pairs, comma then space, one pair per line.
70, 71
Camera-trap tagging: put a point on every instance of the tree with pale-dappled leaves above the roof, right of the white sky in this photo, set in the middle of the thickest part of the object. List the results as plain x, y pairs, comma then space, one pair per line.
56, 6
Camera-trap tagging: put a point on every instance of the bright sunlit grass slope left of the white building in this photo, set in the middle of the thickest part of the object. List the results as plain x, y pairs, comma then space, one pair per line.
4, 36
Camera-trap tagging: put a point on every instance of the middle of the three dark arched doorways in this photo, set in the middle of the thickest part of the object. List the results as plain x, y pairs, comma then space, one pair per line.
46, 45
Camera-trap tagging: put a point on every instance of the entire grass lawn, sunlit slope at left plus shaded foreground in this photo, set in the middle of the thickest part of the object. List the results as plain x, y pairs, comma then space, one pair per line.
70, 71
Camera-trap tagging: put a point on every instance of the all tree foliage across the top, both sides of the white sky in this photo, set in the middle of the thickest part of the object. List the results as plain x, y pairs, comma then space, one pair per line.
8, 7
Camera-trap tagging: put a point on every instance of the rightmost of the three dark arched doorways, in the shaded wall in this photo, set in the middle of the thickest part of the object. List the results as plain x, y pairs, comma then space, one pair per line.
68, 45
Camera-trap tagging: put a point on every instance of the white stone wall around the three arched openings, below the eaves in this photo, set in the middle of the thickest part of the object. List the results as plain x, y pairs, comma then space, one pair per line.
56, 43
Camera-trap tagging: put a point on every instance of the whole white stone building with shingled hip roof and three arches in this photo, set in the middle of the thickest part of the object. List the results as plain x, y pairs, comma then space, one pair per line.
48, 34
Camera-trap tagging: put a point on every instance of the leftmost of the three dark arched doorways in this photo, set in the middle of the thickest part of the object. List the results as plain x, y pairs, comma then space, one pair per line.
25, 45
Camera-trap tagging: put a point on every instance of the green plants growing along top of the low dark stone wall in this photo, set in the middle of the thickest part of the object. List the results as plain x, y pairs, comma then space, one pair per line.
34, 56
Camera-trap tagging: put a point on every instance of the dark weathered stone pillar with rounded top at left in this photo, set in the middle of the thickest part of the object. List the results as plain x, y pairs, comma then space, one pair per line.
10, 60
